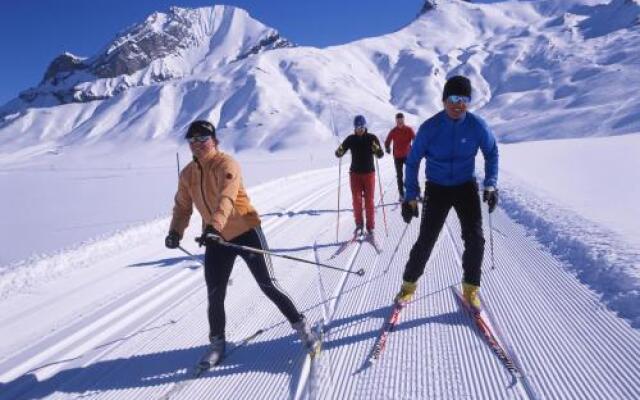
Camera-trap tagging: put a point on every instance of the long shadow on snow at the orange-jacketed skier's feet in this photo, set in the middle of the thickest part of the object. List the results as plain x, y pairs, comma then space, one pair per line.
276, 356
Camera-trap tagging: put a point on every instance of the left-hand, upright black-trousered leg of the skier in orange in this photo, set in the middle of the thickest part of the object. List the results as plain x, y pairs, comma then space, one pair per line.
218, 261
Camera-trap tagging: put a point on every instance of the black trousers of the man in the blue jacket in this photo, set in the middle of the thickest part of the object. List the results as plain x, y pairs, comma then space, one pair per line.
438, 201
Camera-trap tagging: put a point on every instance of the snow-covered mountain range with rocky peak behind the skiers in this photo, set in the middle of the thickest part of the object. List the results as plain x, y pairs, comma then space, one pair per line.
541, 69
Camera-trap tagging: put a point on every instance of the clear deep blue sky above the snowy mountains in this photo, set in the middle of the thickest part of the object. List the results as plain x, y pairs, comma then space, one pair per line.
33, 32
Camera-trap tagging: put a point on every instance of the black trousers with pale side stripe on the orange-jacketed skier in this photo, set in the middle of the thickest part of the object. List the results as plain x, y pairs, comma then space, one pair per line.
219, 259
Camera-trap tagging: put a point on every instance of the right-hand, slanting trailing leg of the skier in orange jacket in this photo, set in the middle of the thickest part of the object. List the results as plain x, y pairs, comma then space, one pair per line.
262, 270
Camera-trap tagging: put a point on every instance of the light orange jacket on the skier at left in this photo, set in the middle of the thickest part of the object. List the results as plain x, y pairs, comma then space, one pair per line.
214, 185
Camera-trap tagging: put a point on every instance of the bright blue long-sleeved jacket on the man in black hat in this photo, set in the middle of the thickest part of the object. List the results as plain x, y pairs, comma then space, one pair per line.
450, 147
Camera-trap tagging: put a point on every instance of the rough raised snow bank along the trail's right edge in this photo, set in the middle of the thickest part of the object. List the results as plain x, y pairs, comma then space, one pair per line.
599, 259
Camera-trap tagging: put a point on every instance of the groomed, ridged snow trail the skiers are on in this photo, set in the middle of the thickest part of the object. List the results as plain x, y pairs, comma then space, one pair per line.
148, 334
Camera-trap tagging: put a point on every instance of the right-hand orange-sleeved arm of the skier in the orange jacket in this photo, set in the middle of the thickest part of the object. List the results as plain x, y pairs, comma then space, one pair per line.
229, 180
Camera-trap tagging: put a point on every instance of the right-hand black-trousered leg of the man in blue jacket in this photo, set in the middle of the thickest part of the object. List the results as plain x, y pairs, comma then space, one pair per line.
467, 206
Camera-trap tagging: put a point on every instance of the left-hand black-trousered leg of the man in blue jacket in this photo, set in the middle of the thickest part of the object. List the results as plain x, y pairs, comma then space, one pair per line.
434, 213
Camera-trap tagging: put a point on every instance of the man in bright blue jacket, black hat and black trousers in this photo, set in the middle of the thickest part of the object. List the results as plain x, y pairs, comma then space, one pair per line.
450, 141
